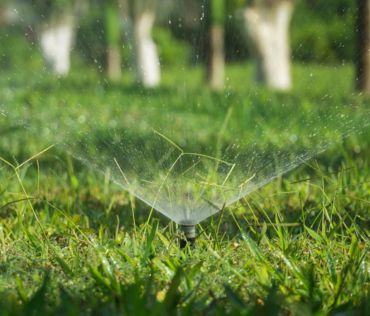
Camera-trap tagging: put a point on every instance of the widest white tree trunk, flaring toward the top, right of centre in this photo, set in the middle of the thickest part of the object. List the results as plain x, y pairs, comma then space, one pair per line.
267, 24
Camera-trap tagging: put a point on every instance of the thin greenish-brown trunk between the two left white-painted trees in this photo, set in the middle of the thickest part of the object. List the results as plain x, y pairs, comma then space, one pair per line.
113, 34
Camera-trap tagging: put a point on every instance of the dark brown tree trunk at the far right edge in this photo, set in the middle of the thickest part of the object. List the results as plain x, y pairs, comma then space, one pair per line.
363, 46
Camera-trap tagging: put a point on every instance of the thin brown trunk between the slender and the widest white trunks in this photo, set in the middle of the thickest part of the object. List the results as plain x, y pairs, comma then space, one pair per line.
216, 55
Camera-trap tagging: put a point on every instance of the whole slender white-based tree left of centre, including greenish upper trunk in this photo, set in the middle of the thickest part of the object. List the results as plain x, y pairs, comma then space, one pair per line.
142, 16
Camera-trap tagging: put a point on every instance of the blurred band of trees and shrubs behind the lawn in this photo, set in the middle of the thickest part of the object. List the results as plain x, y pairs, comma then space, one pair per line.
142, 39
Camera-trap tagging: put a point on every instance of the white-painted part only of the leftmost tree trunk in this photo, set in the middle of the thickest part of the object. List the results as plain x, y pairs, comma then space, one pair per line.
56, 40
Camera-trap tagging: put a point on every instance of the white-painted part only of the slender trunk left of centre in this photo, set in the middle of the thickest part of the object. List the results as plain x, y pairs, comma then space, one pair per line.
146, 55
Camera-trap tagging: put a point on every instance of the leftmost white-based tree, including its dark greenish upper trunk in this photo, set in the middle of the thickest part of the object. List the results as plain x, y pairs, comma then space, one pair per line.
56, 28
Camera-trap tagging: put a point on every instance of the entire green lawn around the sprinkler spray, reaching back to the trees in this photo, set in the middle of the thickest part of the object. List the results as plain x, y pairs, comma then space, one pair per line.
72, 242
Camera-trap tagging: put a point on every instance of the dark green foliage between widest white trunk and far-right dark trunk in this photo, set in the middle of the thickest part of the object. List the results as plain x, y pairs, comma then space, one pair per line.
324, 31
